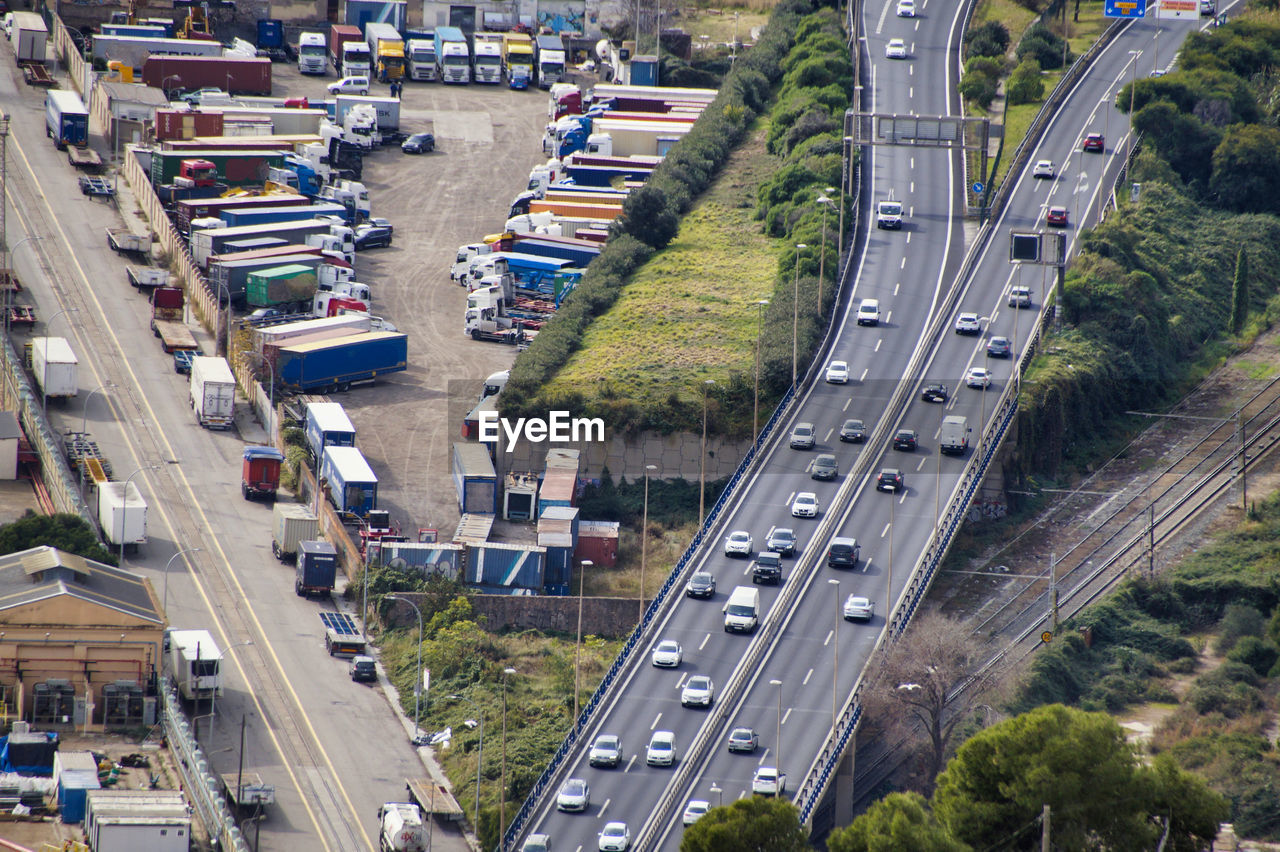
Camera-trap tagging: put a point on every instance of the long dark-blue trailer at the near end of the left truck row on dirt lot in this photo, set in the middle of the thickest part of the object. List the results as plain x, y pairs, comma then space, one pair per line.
333, 365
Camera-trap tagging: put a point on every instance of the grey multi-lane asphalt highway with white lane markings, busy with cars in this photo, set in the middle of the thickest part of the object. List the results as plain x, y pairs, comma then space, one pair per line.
790, 697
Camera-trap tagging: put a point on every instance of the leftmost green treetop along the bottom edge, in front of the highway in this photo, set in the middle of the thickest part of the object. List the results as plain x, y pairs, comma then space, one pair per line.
752, 824
